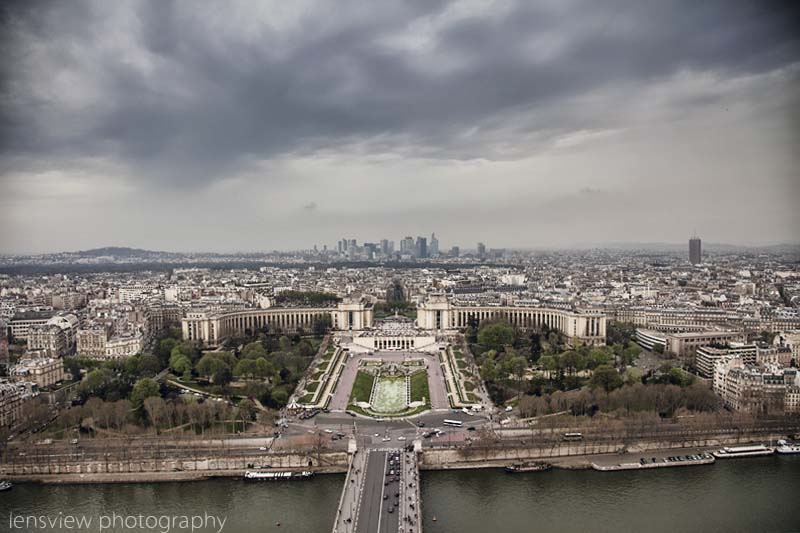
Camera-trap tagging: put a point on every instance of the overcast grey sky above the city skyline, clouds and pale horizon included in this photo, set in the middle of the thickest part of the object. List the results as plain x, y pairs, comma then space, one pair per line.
257, 125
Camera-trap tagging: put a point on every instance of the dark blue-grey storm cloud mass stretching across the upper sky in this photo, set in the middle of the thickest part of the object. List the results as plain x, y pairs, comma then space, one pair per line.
184, 97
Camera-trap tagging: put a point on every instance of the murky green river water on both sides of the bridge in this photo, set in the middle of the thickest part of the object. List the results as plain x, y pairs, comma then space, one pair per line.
757, 494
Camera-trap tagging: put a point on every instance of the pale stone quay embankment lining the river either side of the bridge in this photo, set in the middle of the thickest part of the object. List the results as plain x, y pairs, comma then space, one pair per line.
564, 456
